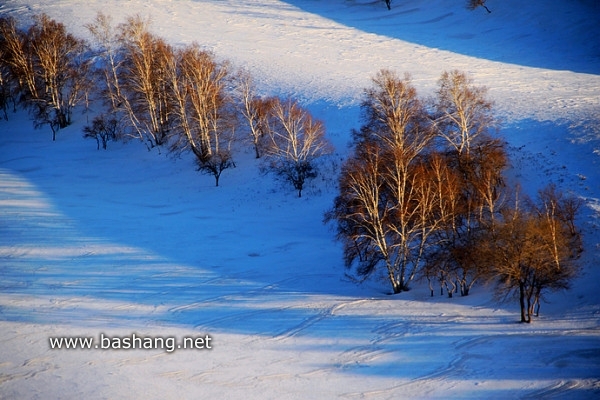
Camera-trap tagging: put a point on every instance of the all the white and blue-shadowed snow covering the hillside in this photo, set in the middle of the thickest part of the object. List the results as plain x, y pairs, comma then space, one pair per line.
130, 241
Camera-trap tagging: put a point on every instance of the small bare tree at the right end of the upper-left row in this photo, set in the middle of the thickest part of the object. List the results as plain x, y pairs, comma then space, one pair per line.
297, 140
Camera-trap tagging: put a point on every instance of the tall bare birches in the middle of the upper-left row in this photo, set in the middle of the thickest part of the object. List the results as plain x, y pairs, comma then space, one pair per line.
166, 96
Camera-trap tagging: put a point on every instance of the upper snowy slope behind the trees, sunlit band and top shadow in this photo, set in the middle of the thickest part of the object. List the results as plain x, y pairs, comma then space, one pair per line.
331, 51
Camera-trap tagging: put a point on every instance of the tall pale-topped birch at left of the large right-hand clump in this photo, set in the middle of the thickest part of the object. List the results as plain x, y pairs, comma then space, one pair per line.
386, 210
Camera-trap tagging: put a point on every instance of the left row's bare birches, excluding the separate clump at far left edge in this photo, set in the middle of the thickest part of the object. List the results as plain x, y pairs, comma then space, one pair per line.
186, 97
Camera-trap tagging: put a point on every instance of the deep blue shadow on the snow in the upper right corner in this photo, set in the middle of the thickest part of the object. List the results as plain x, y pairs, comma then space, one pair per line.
558, 36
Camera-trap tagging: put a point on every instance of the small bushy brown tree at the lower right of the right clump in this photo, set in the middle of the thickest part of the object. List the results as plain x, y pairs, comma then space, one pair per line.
532, 251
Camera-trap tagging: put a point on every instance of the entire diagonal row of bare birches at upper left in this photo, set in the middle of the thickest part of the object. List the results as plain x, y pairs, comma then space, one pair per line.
179, 98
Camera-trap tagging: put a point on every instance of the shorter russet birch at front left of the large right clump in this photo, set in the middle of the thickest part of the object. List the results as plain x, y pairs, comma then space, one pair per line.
386, 216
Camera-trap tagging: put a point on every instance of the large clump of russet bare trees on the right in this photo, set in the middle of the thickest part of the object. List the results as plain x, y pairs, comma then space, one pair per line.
424, 195
